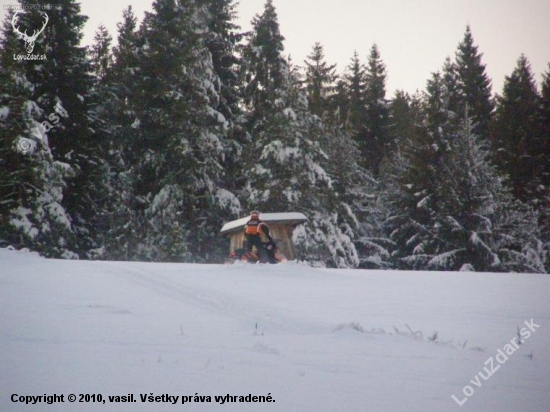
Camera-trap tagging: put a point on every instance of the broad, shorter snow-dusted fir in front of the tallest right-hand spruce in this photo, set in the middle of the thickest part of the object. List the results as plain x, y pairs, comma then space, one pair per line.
452, 210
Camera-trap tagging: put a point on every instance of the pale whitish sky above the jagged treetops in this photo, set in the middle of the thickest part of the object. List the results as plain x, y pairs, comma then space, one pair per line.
414, 36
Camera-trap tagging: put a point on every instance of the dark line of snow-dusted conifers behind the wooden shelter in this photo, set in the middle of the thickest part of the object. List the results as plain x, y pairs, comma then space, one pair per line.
188, 122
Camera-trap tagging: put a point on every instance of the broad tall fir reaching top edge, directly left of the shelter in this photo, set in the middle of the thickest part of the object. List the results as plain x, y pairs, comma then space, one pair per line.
177, 136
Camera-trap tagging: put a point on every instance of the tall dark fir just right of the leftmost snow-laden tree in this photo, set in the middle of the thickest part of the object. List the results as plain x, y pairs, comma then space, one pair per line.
64, 82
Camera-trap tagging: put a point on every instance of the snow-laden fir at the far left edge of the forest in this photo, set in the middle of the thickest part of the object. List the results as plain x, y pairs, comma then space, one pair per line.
32, 214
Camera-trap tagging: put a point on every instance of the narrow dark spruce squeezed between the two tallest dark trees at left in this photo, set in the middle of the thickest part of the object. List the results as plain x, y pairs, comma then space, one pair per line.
122, 220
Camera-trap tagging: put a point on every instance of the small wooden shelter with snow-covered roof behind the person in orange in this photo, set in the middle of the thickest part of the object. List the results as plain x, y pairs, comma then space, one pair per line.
281, 226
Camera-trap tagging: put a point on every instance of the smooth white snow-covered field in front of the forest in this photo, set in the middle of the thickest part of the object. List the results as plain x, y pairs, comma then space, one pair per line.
306, 339
